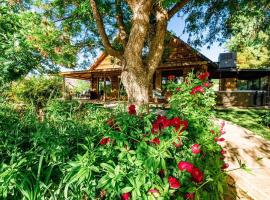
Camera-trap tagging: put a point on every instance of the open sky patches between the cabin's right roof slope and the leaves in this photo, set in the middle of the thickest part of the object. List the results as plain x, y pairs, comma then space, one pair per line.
177, 26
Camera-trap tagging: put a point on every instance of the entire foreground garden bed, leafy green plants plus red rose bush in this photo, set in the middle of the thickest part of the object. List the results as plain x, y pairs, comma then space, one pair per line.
81, 151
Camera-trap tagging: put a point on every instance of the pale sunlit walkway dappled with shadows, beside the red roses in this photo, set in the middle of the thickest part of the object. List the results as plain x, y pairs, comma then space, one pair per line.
242, 145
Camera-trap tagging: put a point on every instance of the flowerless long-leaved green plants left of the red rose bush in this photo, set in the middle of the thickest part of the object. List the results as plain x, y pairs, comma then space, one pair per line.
35, 157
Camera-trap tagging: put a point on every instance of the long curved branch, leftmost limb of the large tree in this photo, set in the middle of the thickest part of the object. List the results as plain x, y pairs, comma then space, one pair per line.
102, 32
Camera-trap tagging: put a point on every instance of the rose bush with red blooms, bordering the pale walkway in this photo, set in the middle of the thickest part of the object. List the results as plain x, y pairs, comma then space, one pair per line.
174, 156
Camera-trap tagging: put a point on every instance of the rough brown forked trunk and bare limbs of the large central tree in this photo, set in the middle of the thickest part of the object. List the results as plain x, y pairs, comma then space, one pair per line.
138, 68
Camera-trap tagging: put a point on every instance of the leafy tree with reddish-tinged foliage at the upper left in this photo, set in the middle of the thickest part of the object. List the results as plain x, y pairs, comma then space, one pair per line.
29, 42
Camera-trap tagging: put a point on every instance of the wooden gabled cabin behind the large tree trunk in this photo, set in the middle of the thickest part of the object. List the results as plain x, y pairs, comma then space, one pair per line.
178, 59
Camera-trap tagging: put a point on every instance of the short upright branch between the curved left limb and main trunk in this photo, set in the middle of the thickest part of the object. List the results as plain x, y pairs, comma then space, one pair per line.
120, 23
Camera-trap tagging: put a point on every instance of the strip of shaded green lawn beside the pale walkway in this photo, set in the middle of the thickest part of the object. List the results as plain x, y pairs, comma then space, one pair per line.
249, 118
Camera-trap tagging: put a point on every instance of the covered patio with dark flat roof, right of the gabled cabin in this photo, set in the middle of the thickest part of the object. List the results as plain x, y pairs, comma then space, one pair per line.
243, 87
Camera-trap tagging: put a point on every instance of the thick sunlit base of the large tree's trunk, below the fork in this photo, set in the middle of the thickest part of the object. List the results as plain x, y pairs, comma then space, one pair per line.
136, 86
